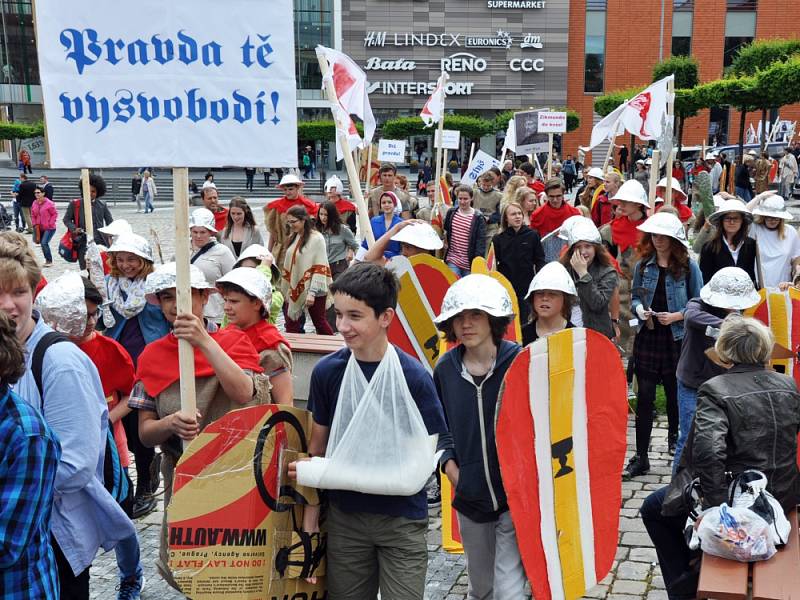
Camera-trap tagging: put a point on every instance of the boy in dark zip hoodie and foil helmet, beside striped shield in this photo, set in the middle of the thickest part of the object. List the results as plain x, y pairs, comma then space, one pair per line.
475, 313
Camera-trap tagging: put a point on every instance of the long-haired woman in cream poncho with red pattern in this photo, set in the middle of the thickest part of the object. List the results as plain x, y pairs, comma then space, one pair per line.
306, 274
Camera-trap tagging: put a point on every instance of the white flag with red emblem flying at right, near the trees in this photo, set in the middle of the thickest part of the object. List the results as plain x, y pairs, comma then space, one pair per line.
645, 116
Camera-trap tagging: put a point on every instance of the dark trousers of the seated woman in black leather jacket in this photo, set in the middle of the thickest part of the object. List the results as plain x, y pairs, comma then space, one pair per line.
679, 565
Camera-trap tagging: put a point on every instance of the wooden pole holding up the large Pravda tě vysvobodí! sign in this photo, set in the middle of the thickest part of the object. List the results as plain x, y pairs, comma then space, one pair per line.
183, 289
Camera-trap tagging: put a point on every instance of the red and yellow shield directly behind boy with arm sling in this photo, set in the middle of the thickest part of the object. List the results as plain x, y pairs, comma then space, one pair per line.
424, 280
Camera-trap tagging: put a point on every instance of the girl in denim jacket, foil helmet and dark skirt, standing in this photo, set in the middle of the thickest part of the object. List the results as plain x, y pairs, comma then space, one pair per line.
664, 280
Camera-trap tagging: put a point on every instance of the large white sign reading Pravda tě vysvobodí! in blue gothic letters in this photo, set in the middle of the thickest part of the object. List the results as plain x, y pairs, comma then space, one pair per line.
168, 84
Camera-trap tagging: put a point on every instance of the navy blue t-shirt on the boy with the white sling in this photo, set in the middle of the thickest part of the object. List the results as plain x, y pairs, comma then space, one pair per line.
326, 379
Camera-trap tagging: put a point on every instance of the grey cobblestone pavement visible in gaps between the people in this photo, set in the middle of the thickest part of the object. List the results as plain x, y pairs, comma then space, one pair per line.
635, 574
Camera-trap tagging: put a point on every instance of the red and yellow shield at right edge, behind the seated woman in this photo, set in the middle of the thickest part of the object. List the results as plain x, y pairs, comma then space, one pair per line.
776, 311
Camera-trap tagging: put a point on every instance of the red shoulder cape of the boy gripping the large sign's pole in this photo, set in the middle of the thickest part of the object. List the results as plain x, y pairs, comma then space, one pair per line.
158, 364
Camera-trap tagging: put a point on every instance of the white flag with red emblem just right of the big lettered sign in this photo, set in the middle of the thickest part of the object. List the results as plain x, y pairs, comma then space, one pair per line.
350, 83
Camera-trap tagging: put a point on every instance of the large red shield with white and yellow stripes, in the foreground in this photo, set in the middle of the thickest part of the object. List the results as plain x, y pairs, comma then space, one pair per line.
561, 439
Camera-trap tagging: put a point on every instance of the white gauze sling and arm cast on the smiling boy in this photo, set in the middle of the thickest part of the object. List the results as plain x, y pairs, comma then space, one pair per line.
378, 442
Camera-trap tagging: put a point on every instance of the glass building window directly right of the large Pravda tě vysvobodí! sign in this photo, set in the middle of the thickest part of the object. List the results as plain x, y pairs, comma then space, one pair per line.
313, 22
